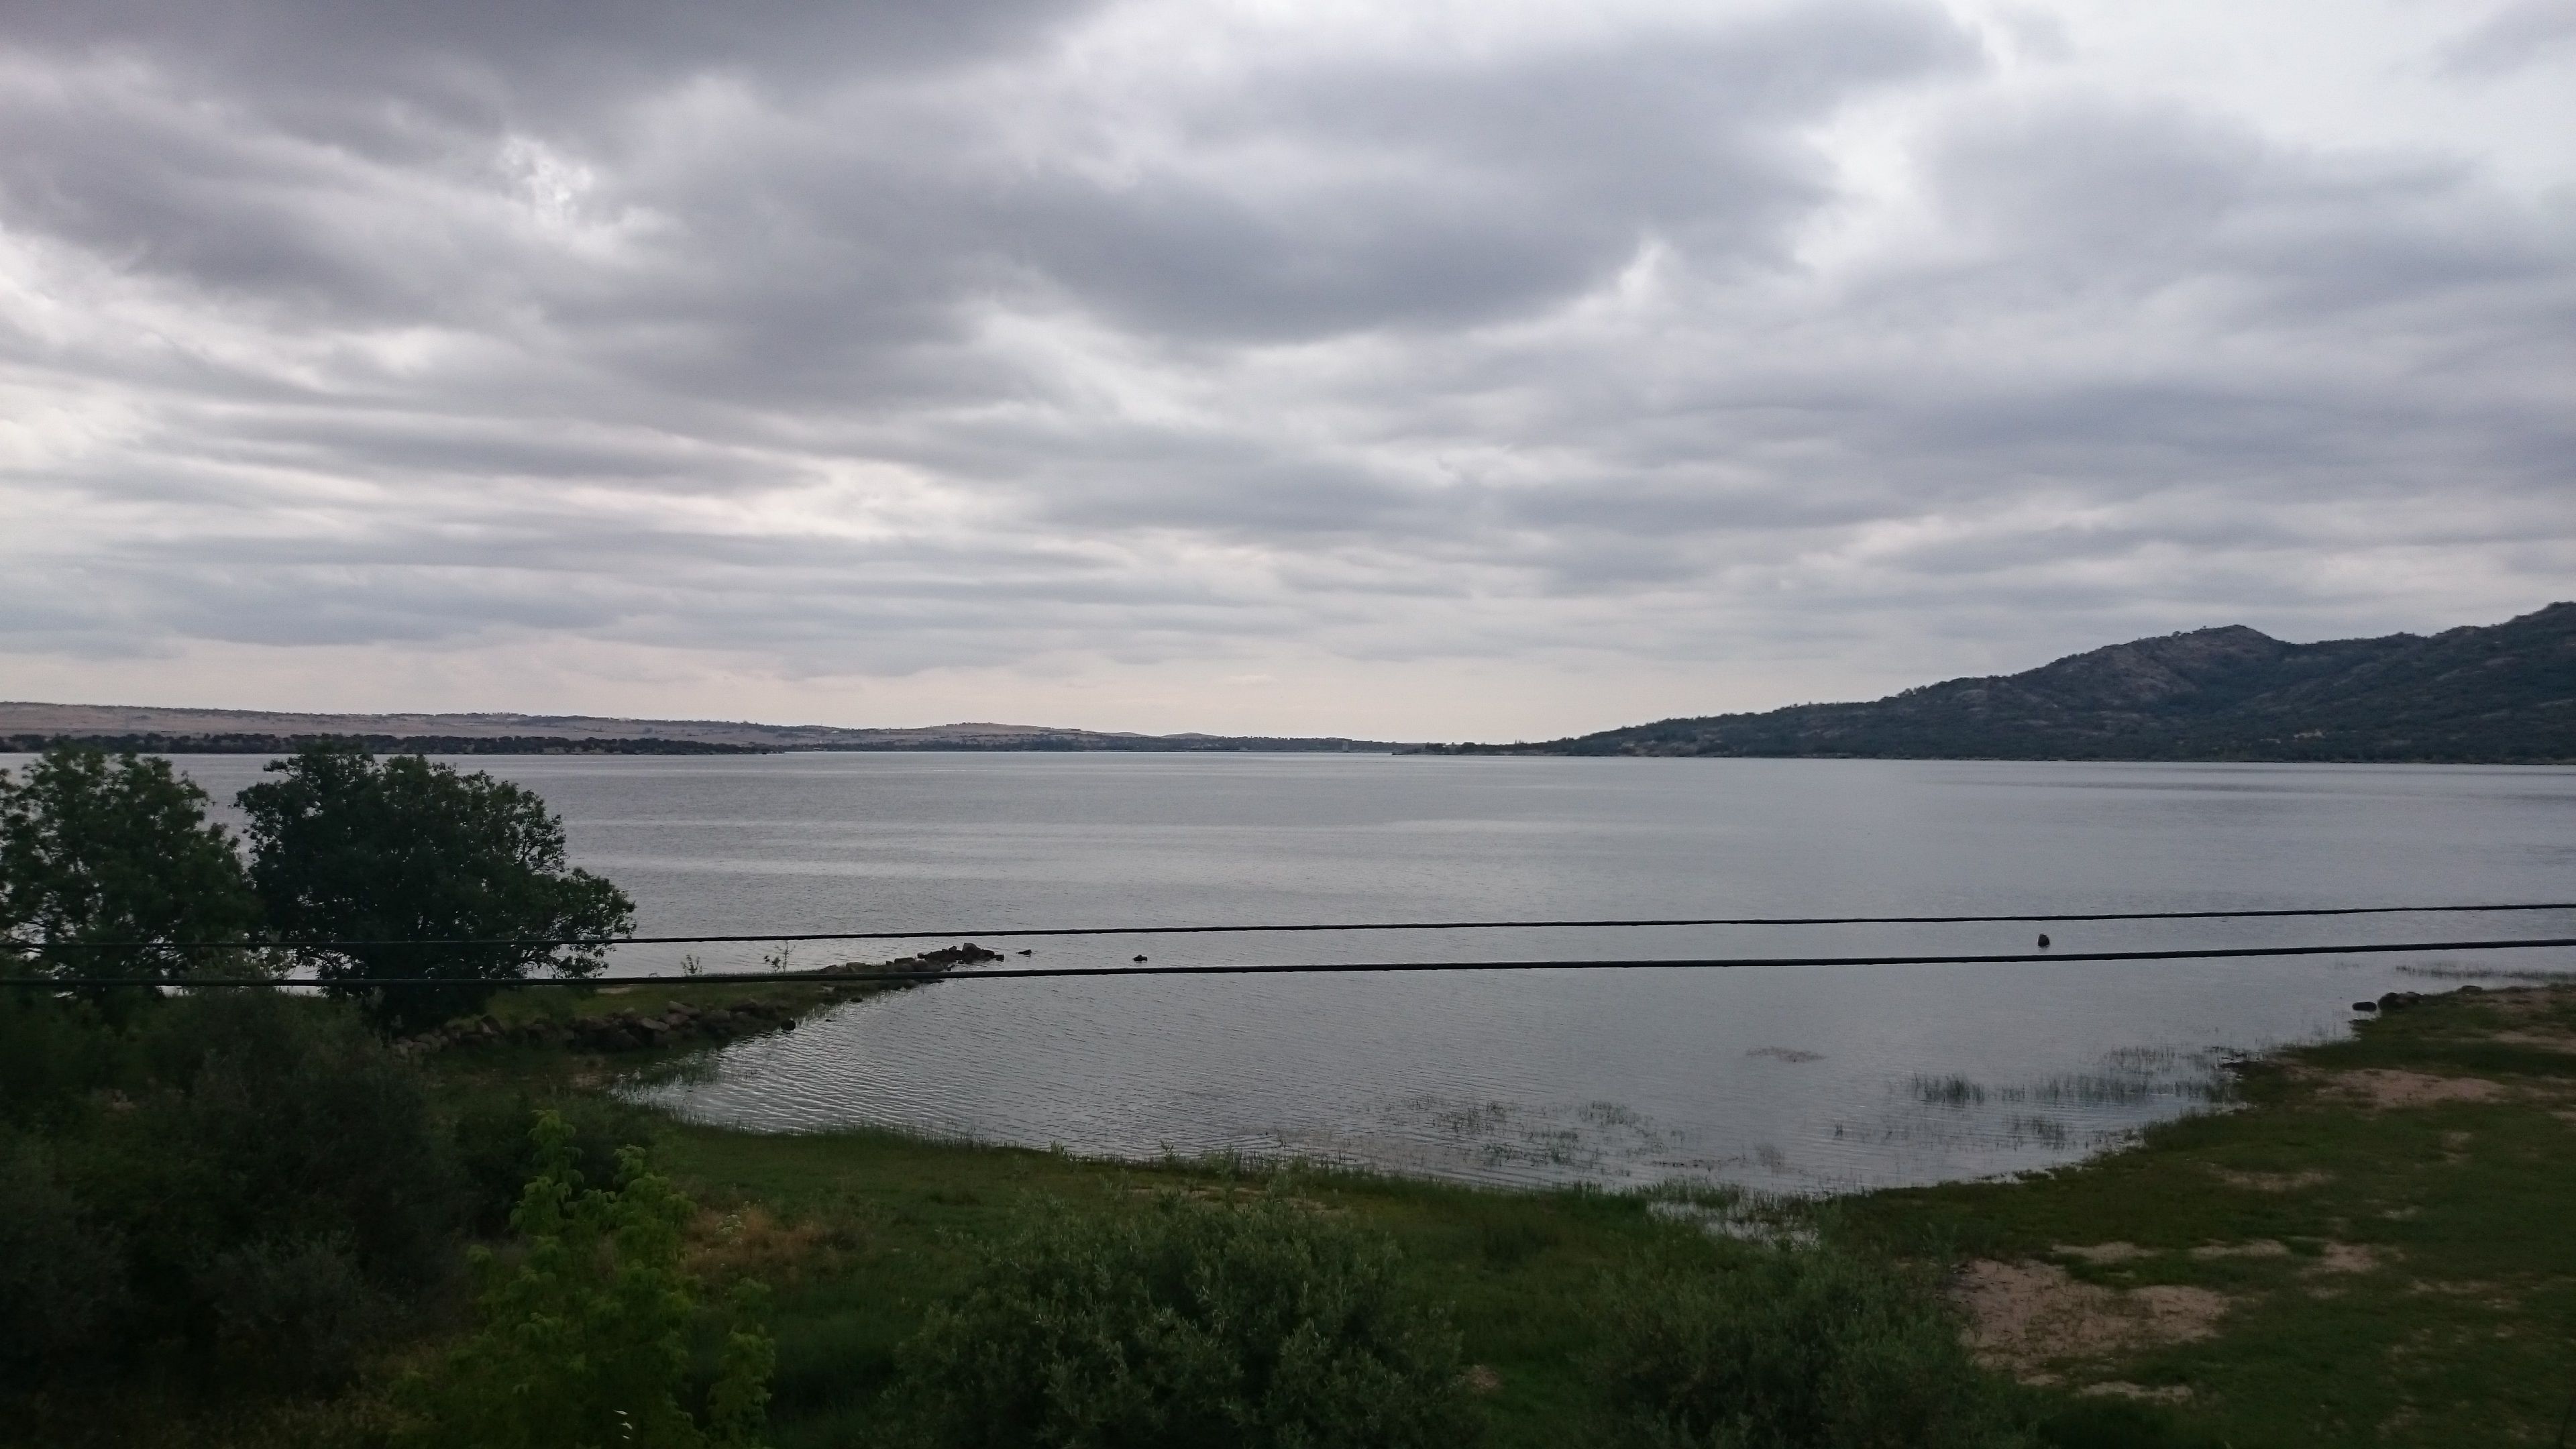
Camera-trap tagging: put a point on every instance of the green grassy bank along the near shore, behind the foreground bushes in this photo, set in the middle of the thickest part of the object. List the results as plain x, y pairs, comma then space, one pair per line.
2371, 1249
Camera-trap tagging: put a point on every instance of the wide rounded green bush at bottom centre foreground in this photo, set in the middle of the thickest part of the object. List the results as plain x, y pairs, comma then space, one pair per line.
1181, 1327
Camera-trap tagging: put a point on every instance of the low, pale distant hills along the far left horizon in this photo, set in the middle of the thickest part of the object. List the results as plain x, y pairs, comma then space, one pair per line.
264, 731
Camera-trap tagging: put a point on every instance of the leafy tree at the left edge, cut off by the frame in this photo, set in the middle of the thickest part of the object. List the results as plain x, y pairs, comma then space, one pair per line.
115, 850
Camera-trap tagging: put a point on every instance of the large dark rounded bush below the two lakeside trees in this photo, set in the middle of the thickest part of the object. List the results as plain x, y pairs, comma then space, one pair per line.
274, 1187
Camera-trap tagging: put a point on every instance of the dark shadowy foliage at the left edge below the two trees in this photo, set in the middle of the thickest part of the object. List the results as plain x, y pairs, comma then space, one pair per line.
231, 1192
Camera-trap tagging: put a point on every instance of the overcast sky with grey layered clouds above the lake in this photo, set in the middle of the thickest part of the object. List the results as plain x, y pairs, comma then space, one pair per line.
1454, 370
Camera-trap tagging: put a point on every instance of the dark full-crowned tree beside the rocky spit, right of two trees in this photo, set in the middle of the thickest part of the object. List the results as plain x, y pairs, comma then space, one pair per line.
398, 852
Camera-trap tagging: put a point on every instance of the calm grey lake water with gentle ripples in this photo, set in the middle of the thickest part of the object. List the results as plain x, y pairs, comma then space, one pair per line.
1779, 1079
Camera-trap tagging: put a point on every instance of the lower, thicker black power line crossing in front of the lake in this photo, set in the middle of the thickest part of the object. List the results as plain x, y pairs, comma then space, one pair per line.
1354, 968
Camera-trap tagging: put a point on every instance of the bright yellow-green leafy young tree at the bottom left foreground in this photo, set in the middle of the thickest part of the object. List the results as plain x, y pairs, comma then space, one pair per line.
586, 1342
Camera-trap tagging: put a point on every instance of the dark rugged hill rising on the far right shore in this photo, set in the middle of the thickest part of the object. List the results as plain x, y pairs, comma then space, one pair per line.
2503, 692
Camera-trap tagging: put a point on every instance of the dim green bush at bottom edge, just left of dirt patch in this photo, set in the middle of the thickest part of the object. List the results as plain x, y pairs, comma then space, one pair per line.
1794, 1350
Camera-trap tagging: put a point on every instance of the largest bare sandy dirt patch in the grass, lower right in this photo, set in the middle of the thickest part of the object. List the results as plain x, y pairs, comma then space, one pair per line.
2031, 1316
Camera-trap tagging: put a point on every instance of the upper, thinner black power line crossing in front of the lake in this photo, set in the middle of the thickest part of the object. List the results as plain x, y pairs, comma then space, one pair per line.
1029, 932
